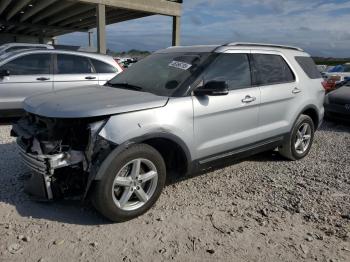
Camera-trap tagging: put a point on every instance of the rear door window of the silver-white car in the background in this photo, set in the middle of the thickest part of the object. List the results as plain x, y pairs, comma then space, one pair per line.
72, 64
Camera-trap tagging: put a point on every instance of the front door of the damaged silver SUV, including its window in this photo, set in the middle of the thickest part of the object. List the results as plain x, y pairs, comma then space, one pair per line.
225, 123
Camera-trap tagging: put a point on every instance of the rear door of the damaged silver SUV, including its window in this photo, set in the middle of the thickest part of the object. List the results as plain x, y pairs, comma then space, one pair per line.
279, 89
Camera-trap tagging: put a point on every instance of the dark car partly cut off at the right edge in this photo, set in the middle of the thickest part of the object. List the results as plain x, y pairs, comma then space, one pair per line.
337, 103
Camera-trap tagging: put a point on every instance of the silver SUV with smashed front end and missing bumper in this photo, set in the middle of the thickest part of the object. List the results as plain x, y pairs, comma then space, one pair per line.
175, 112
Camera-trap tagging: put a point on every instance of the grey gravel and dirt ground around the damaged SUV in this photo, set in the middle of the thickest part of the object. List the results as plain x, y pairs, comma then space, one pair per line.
260, 209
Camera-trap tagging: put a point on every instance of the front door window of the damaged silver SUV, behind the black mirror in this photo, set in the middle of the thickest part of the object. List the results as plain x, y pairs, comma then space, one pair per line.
232, 68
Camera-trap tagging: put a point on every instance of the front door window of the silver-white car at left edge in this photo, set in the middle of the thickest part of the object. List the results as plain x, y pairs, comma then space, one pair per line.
35, 64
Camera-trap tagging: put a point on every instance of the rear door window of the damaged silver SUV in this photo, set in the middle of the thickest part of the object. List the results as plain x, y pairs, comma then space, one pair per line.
271, 69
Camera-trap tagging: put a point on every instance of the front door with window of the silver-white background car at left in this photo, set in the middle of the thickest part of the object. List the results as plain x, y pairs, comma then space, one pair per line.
29, 75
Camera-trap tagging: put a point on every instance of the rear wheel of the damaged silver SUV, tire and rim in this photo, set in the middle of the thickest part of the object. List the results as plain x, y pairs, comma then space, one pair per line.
293, 150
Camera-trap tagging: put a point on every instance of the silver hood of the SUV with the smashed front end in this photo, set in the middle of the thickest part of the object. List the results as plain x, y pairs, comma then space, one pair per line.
90, 101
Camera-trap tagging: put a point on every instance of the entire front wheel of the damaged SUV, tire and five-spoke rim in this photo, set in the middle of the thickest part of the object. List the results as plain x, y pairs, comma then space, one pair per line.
120, 183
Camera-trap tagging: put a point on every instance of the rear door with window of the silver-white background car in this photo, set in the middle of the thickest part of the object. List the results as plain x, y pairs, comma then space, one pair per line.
73, 71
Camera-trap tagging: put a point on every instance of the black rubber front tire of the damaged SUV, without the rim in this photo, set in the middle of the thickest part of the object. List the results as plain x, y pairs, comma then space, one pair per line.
102, 197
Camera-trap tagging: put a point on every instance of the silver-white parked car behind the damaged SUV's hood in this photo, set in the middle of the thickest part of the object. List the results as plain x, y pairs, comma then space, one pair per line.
27, 72
